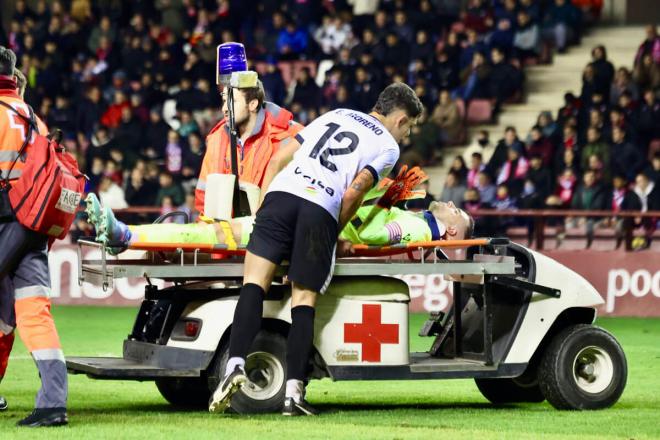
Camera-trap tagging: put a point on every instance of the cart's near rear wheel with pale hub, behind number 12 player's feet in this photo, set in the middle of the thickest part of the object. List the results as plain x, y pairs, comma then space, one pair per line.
266, 369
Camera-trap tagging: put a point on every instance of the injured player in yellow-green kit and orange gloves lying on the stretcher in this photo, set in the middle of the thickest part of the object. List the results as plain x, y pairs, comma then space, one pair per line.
377, 224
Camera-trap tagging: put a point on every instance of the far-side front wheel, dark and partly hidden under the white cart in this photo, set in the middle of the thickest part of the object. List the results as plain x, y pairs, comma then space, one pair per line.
516, 390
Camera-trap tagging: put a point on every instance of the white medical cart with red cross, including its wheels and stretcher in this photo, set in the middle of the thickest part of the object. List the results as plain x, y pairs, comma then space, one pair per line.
509, 306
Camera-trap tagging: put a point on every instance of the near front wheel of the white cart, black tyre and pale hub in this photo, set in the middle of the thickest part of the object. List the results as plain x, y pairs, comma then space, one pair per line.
584, 367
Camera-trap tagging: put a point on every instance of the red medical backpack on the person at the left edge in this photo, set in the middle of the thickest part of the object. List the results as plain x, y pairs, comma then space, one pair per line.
46, 196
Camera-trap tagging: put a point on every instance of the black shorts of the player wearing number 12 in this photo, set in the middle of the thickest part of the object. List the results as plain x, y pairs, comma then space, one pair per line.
288, 227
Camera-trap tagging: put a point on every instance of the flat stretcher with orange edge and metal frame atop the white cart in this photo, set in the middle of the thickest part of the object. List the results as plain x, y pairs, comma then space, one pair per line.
183, 262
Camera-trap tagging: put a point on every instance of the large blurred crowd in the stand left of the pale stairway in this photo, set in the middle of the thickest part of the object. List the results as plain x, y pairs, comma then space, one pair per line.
131, 84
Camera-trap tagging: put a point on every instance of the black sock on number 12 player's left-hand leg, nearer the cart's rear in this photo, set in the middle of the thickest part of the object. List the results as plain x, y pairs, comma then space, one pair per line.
247, 320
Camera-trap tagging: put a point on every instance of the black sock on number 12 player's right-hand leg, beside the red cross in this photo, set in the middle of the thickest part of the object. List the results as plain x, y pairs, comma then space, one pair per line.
299, 342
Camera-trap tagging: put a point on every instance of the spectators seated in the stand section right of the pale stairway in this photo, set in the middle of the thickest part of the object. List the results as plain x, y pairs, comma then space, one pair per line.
600, 152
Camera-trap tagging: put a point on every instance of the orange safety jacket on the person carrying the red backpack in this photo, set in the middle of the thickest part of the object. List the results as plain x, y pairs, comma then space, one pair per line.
12, 134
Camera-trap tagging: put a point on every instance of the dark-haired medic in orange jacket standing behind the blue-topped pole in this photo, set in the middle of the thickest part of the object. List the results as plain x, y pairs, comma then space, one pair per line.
263, 127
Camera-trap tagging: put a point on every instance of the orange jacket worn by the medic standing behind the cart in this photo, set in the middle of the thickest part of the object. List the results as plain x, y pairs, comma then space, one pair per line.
275, 126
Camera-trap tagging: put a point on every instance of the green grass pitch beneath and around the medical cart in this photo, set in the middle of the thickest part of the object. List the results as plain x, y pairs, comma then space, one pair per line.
448, 409
